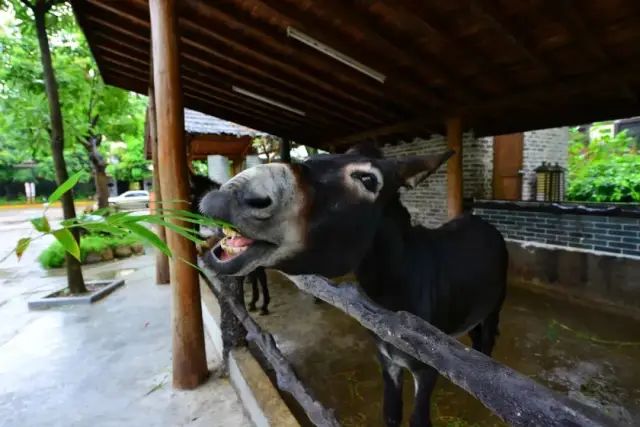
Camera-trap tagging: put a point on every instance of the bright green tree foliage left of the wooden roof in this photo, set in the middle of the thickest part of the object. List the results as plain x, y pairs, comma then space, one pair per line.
24, 132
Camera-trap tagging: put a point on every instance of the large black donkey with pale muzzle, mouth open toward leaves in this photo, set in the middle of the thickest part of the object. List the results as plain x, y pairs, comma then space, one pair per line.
335, 214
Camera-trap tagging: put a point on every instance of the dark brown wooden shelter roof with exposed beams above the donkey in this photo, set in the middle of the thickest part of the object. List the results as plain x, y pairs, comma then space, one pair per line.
501, 65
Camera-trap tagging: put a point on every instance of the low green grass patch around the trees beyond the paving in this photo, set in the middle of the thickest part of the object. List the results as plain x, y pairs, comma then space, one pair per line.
53, 256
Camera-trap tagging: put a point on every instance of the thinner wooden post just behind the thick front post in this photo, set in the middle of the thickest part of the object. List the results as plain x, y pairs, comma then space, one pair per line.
162, 260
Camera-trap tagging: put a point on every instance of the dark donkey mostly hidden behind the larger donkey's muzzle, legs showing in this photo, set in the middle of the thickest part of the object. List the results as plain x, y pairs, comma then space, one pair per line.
201, 185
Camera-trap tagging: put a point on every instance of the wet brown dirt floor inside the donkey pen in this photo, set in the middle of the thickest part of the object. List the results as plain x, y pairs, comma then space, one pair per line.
588, 355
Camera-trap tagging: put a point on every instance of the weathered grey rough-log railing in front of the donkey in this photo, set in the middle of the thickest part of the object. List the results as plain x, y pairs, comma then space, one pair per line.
513, 397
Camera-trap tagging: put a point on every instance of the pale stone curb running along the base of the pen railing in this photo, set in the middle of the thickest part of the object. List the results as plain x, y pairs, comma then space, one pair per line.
260, 399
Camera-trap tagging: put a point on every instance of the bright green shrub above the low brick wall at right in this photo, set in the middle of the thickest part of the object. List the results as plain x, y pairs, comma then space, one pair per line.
605, 169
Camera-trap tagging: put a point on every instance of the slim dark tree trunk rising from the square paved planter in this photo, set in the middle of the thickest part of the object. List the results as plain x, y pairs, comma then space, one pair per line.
75, 281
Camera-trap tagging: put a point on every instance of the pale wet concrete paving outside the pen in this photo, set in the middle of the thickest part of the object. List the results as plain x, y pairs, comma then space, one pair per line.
102, 365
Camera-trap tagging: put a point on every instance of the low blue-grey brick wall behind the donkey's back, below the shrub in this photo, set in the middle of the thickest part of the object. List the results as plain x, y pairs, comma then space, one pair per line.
610, 234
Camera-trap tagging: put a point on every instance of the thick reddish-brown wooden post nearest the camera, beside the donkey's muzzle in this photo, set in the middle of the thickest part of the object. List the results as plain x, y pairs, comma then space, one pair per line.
189, 360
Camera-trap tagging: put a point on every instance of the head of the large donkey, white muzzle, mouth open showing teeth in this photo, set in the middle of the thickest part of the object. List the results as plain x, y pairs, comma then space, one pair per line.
317, 217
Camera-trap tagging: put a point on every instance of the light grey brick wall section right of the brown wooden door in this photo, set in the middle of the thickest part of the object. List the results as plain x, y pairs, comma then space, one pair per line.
547, 145
